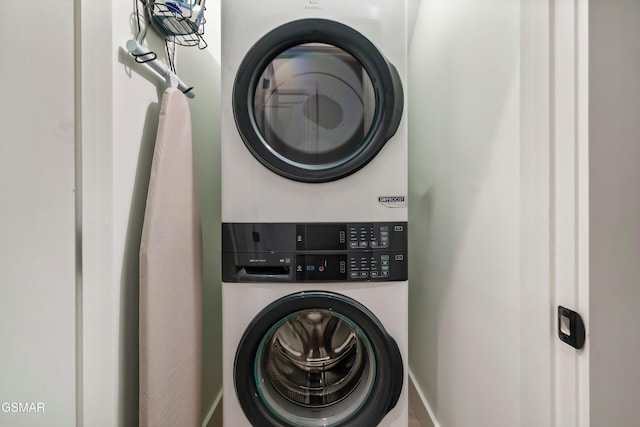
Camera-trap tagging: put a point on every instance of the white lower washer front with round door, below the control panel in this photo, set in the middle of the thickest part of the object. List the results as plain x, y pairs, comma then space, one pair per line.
251, 309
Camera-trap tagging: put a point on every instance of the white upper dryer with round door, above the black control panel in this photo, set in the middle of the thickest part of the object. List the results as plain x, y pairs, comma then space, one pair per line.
313, 120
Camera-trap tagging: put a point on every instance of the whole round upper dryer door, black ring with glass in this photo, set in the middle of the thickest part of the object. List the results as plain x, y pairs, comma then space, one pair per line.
314, 100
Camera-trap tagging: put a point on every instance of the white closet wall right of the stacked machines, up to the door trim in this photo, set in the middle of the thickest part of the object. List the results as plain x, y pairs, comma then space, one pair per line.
465, 200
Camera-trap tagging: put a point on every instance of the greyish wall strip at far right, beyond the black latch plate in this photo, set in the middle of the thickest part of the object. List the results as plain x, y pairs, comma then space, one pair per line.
614, 153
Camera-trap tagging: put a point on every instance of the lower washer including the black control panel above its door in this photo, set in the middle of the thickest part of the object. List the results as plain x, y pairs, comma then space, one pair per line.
314, 324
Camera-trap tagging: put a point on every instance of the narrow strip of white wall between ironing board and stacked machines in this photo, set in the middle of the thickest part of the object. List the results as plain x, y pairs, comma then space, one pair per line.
201, 69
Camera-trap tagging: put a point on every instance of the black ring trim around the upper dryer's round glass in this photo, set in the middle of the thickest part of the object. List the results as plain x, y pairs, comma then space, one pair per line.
384, 77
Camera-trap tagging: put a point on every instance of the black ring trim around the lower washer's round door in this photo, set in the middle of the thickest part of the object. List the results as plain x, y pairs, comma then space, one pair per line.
387, 385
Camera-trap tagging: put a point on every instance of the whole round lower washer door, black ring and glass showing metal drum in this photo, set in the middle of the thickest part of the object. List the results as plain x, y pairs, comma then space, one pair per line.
317, 359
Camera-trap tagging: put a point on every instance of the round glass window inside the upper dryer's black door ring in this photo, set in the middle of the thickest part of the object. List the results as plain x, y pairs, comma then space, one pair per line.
314, 105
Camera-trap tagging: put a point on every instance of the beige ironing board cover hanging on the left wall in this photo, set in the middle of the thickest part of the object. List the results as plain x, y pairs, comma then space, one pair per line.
171, 278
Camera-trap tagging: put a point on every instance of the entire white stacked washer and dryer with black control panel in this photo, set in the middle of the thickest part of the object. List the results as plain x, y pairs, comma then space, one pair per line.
314, 233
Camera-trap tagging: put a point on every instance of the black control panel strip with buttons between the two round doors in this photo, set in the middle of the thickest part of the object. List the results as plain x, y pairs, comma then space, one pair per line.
314, 252
